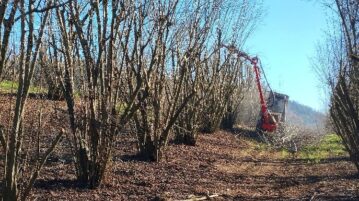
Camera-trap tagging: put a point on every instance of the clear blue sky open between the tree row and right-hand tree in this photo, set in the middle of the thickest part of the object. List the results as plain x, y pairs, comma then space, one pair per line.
286, 41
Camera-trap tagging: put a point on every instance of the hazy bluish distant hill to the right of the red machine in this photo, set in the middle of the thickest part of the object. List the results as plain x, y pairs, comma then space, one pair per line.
299, 114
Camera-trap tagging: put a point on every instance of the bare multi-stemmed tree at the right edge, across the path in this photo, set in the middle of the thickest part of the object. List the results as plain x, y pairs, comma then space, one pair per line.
339, 68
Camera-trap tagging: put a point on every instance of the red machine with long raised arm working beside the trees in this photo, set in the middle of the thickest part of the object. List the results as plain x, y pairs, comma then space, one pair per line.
268, 120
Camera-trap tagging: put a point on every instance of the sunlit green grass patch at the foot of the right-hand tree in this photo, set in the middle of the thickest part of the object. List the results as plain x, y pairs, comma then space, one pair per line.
330, 146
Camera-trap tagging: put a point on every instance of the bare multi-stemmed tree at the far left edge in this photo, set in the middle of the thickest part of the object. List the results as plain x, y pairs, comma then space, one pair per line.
27, 59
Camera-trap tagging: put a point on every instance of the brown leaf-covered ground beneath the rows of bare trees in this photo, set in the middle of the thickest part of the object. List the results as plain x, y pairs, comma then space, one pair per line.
229, 165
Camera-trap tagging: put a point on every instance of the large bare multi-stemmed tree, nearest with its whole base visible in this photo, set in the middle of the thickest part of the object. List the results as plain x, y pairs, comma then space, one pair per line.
103, 49
